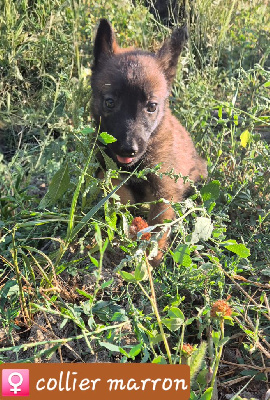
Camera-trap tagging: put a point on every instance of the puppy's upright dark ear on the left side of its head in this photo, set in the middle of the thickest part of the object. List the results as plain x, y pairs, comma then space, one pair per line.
105, 43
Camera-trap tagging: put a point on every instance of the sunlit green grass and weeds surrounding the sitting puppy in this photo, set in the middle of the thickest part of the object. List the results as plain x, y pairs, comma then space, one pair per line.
61, 270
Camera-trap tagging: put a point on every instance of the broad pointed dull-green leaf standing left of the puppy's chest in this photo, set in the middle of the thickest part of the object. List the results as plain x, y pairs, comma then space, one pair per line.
58, 186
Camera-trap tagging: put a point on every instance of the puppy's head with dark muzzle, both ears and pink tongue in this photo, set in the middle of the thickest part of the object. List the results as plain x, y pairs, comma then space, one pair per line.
130, 88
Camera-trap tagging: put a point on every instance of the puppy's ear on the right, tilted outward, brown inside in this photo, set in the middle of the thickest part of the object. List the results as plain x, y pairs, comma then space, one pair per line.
169, 52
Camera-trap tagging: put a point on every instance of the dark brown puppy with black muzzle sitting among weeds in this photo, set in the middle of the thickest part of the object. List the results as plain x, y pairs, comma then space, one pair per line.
130, 101
